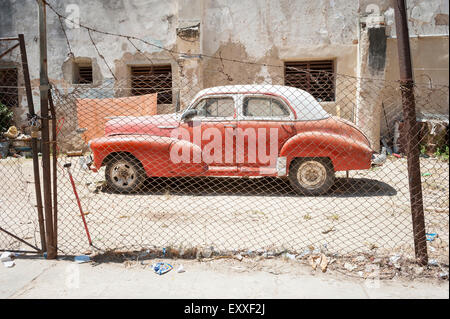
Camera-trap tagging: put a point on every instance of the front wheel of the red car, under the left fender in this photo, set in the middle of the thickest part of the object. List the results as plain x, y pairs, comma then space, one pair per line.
124, 174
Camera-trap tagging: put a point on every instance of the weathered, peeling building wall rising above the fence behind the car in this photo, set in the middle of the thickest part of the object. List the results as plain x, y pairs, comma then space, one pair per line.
351, 38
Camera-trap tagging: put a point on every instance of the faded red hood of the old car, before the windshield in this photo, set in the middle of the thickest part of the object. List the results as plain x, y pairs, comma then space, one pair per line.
152, 125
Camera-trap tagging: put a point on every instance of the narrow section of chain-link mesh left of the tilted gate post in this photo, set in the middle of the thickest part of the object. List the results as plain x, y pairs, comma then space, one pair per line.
18, 217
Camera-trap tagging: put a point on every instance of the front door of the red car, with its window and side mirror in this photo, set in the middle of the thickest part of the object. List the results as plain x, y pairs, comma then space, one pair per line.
214, 129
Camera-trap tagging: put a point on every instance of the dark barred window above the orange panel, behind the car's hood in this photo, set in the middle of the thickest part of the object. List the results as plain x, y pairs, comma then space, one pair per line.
152, 79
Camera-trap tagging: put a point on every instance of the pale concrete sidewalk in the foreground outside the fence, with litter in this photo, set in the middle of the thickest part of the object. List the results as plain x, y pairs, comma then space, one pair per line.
38, 278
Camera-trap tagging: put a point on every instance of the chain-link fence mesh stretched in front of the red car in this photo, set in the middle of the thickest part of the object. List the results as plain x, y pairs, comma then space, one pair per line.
256, 167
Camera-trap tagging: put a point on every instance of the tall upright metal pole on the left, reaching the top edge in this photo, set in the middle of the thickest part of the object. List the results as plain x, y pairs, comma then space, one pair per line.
44, 86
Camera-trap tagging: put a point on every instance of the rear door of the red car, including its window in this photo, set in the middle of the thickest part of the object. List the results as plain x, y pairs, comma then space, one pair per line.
265, 122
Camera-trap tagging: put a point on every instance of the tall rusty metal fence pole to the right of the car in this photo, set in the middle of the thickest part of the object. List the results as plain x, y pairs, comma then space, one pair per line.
412, 131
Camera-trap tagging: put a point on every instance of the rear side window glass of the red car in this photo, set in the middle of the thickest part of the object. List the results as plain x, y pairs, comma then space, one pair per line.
264, 107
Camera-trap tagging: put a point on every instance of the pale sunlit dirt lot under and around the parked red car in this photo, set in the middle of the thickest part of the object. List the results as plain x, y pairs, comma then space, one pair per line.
368, 213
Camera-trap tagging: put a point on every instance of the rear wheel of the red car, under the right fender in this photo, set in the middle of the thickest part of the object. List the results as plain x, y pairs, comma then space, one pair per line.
311, 176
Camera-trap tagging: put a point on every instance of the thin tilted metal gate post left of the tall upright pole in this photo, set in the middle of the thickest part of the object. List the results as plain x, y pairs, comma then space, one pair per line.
37, 180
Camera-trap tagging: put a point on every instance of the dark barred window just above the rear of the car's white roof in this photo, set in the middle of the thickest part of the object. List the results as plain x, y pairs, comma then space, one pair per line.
315, 77
